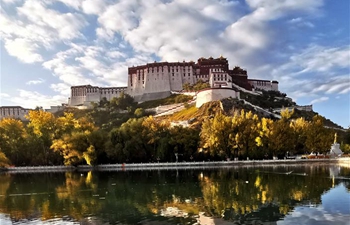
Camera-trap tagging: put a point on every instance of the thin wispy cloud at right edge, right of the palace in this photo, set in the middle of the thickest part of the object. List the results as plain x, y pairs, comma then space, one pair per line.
316, 70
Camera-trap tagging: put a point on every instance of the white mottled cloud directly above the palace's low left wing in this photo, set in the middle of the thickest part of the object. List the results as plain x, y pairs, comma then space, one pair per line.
91, 64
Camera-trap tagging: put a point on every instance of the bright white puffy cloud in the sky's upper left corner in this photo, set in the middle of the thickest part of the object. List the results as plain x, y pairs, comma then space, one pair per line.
36, 27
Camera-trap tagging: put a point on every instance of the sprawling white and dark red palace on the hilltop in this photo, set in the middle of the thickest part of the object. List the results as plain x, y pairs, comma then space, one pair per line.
157, 80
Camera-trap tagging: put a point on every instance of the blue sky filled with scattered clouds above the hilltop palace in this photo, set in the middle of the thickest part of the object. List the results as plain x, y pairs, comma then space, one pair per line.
49, 45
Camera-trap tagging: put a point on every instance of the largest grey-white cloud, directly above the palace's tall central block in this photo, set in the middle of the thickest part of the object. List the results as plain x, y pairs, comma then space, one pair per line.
188, 29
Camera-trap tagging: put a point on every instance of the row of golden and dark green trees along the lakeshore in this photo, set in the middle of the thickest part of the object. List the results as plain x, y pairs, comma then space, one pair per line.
47, 139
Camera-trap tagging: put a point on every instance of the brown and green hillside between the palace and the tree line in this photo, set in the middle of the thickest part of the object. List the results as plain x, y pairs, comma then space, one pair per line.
263, 103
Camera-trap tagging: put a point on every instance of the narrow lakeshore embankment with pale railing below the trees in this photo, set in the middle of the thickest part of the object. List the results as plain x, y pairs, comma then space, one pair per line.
174, 165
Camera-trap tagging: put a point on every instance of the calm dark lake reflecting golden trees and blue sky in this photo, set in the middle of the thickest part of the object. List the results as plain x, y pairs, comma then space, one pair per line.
250, 195
